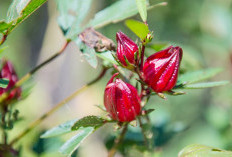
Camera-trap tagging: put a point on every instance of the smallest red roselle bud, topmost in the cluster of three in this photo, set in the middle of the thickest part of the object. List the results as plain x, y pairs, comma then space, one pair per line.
126, 49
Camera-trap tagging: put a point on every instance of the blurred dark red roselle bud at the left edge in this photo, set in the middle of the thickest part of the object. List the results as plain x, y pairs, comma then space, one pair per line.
8, 72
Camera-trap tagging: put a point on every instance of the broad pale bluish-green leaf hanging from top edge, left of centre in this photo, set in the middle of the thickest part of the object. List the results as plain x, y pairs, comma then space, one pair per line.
71, 15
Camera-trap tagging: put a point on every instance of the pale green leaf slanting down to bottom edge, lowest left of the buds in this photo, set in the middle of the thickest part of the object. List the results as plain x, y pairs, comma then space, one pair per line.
72, 144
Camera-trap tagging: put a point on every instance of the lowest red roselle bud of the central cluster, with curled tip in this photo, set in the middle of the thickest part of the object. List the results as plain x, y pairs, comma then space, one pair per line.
121, 100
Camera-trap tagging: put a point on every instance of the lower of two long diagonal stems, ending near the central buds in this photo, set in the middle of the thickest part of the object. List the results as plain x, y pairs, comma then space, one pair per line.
56, 107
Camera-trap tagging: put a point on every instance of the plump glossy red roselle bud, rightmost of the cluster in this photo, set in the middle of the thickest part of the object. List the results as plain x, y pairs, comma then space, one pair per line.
161, 69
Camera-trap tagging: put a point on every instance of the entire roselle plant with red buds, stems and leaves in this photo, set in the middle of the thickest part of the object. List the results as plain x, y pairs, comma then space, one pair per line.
138, 72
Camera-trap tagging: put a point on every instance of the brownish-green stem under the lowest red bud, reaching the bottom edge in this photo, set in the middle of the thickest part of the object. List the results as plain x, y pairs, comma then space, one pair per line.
118, 141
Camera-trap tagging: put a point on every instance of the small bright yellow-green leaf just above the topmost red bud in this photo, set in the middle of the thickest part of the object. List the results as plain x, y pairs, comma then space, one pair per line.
139, 28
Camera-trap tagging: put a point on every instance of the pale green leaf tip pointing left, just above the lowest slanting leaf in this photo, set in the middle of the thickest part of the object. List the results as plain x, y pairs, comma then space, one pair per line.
60, 129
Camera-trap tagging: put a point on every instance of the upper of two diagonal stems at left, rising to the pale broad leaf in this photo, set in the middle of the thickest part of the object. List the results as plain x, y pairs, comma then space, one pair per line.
5, 95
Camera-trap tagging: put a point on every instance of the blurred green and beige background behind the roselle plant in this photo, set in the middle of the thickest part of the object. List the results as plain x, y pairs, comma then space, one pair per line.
201, 27
